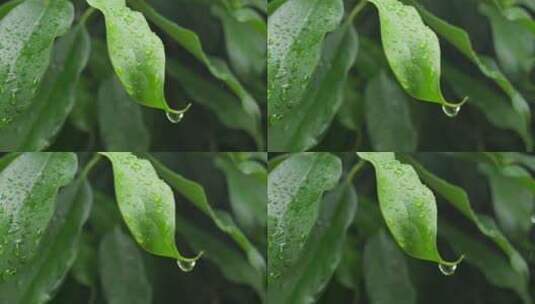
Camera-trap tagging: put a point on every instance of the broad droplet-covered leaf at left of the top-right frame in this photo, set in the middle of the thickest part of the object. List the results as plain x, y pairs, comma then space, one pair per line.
295, 34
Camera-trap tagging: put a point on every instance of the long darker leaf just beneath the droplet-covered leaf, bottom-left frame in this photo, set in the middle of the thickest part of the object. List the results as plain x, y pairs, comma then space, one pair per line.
41, 276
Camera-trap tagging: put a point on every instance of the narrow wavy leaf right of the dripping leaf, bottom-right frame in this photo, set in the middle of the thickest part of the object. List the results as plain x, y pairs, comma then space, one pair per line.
456, 196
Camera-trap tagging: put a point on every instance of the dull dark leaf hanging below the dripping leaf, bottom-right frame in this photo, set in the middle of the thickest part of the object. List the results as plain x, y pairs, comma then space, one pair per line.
386, 272
